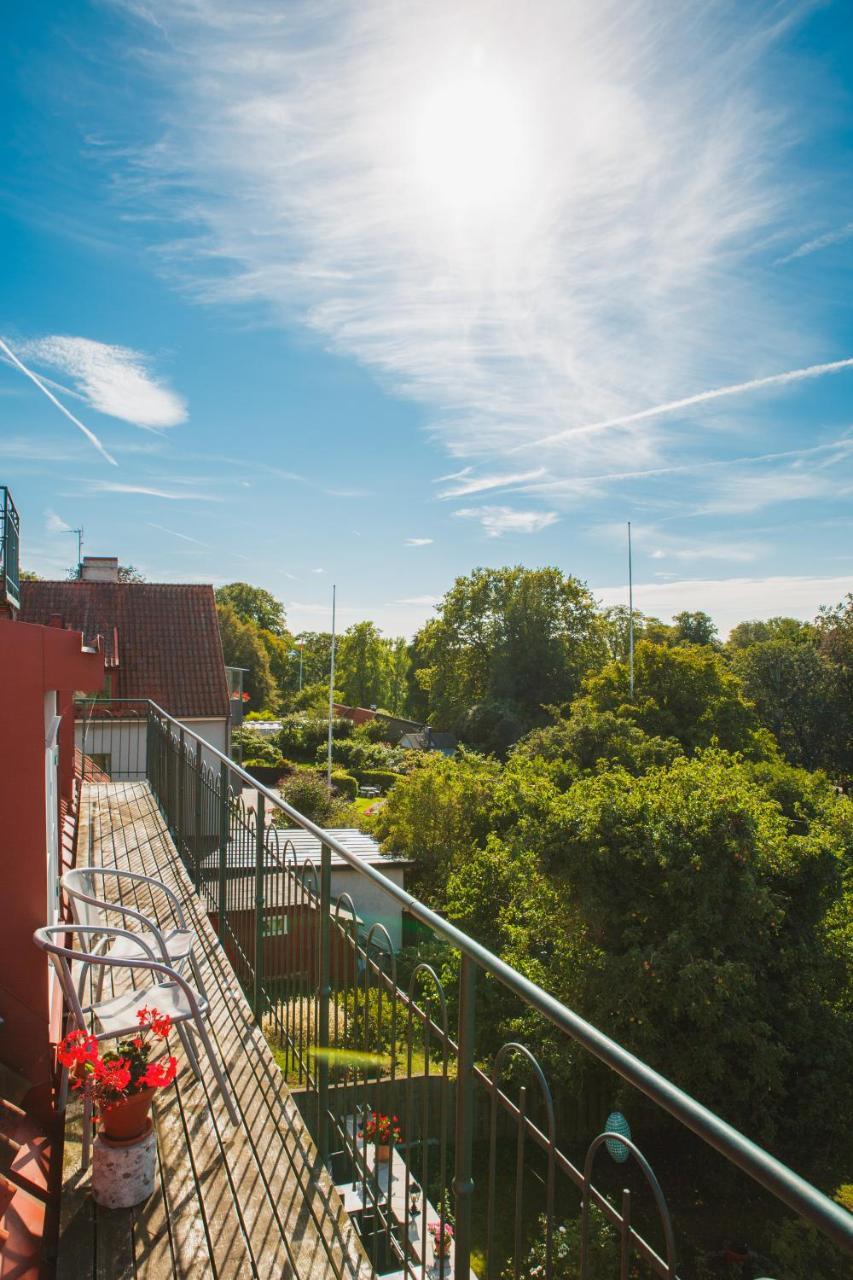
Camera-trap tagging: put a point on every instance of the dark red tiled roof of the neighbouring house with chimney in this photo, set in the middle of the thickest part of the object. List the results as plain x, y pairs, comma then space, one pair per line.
165, 636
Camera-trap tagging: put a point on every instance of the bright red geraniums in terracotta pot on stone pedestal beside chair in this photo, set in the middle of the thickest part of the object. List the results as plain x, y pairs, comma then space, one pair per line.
122, 1080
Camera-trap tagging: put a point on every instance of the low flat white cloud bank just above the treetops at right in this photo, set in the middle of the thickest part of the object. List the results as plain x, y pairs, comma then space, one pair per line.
733, 600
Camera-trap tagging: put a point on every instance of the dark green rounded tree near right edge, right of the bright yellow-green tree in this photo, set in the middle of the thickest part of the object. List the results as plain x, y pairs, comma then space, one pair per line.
799, 697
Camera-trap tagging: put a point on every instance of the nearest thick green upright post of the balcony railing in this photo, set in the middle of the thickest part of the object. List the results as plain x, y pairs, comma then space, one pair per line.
463, 1174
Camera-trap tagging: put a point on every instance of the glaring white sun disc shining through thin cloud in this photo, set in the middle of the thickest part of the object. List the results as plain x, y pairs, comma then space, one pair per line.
471, 144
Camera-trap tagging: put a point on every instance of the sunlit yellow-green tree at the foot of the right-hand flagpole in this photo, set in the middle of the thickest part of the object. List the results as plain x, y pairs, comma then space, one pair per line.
686, 692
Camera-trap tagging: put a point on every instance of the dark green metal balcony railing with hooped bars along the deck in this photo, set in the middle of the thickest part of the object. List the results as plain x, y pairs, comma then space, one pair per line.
362, 1028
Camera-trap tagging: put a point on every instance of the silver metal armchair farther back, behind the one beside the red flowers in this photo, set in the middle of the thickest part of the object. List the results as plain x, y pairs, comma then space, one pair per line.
174, 941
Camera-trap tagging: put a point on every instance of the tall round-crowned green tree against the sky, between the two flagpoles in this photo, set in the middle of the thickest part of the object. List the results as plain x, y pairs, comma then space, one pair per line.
513, 637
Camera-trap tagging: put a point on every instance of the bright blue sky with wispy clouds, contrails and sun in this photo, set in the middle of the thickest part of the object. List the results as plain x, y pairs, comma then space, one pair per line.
376, 294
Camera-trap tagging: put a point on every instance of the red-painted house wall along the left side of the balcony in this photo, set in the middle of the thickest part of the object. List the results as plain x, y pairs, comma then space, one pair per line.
34, 661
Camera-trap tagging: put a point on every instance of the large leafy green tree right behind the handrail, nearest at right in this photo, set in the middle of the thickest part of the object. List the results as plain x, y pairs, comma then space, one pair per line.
714, 926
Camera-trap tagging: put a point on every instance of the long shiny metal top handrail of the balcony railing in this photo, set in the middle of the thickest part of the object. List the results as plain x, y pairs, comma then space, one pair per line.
765, 1169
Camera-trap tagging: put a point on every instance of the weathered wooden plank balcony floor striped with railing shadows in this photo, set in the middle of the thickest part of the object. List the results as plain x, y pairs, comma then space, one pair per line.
238, 1203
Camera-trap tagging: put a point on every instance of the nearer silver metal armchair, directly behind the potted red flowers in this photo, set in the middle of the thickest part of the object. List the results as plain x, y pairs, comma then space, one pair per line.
117, 1017
